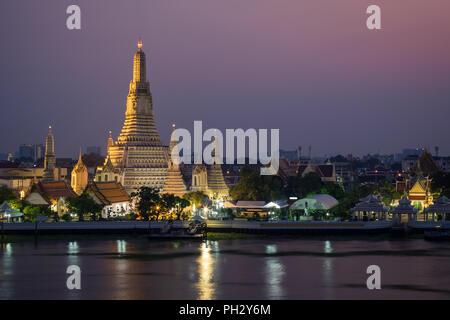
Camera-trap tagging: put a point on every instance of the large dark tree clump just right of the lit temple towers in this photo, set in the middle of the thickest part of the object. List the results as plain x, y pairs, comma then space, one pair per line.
256, 187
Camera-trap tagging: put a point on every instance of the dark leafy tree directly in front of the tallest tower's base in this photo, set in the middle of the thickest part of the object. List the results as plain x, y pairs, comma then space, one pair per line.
147, 202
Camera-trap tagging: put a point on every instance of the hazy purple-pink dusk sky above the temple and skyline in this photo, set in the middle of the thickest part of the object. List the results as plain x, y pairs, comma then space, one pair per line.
310, 68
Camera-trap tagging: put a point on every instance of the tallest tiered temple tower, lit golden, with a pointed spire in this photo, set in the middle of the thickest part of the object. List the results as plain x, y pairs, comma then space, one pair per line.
138, 151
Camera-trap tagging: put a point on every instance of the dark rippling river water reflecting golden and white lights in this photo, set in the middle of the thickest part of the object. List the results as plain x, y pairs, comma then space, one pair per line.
260, 268
